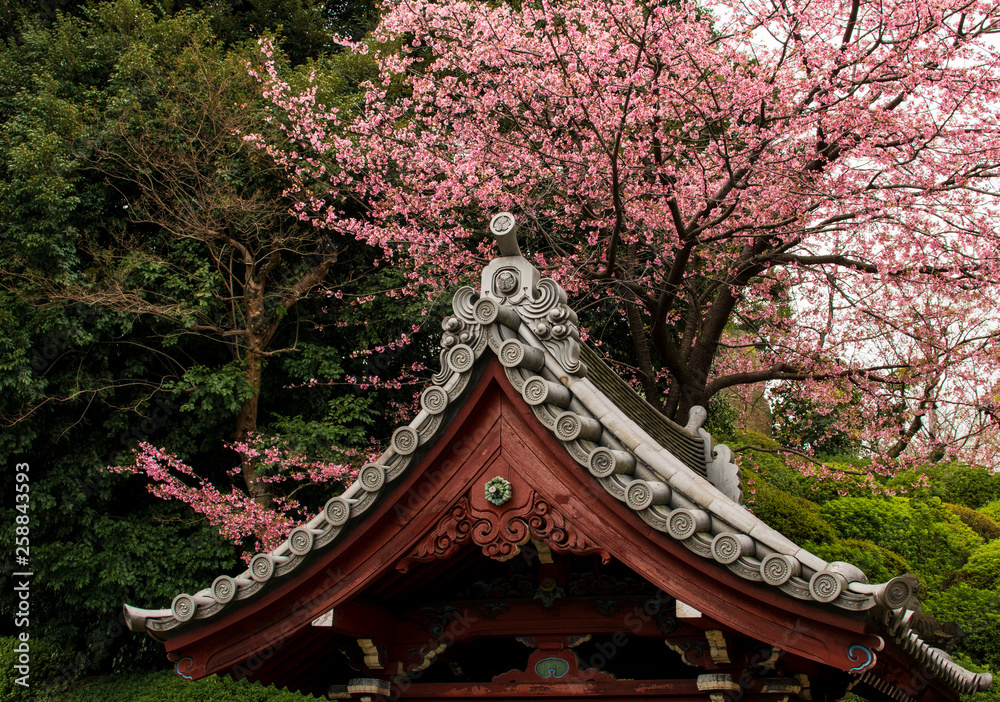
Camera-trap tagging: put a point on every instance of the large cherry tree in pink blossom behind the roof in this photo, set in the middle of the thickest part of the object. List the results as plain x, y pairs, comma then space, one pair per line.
774, 193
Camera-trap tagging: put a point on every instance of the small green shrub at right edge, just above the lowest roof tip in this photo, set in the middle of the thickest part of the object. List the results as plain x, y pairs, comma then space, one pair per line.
978, 613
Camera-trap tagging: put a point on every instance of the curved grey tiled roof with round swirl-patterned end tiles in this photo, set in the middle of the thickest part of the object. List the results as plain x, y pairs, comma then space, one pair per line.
674, 478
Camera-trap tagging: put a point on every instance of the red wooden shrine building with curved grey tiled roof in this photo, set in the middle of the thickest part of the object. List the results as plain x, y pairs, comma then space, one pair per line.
540, 531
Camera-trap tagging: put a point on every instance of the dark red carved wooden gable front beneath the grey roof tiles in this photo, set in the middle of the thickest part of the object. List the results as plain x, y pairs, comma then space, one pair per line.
388, 614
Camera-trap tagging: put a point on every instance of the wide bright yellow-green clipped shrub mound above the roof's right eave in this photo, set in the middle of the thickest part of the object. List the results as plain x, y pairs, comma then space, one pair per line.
924, 532
